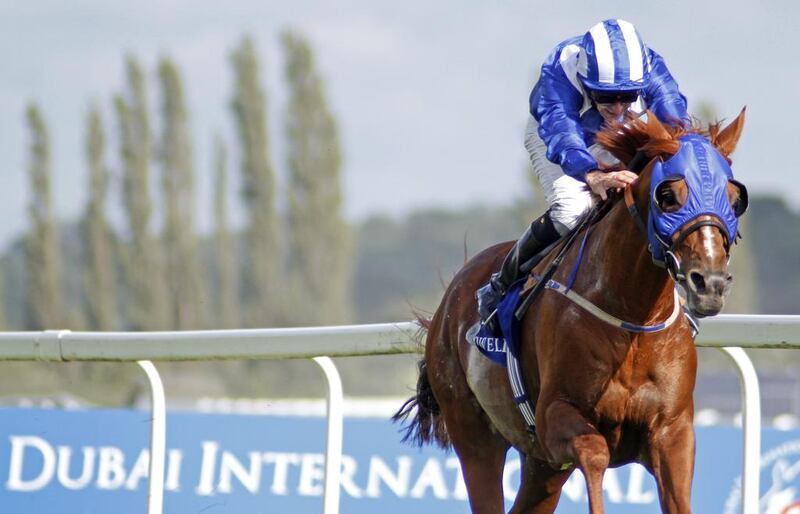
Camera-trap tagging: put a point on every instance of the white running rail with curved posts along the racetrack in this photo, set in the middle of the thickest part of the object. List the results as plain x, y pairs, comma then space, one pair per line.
730, 333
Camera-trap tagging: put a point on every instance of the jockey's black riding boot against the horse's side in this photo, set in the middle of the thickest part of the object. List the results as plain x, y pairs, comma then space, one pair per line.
541, 234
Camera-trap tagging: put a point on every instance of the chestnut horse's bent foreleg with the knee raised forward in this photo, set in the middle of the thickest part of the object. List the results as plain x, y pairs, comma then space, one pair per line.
571, 438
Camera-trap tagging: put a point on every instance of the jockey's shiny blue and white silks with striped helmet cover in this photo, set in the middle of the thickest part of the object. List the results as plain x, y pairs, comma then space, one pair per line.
567, 120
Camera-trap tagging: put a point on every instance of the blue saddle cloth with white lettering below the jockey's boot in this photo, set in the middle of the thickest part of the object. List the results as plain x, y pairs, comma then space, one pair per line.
495, 345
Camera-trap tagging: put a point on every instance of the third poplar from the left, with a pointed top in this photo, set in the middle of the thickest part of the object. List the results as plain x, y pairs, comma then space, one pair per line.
143, 269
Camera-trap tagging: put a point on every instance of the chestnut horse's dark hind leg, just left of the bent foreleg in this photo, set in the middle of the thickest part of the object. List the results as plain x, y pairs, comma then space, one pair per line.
540, 489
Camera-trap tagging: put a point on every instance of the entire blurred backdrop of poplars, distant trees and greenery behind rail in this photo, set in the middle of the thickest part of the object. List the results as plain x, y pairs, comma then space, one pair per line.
296, 261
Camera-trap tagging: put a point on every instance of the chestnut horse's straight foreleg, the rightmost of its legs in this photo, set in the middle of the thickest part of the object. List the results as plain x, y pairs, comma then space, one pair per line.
672, 463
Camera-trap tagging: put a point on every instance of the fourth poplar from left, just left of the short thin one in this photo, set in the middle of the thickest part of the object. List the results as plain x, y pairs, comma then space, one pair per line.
186, 284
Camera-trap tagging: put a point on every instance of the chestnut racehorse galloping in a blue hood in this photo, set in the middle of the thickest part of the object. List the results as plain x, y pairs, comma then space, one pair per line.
603, 396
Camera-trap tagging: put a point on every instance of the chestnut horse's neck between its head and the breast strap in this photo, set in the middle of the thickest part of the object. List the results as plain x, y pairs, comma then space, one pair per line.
619, 273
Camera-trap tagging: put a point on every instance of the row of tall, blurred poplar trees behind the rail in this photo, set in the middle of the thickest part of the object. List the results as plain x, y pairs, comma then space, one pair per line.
286, 266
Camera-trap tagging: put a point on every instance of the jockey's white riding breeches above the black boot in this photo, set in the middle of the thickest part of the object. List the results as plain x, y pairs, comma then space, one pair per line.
567, 197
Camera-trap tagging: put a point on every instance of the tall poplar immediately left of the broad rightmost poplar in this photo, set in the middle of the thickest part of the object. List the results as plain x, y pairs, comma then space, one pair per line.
261, 289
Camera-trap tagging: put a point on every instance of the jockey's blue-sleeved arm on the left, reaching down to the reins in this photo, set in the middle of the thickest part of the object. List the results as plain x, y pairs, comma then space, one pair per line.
556, 104
